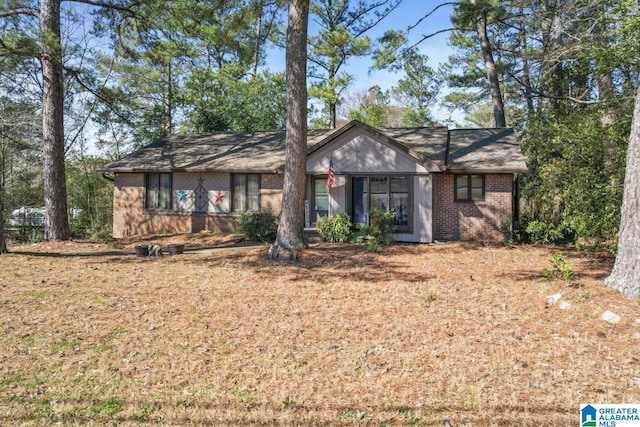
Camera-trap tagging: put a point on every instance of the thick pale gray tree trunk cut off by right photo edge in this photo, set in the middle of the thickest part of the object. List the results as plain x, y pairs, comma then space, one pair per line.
625, 275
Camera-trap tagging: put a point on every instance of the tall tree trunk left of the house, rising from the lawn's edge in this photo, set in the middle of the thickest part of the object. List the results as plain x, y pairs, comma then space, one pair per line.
56, 225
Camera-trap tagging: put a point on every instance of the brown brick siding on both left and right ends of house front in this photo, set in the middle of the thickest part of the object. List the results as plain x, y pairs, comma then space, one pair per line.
451, 220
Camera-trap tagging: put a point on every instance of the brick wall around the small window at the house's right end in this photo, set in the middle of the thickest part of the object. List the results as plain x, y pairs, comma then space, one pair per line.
471, 220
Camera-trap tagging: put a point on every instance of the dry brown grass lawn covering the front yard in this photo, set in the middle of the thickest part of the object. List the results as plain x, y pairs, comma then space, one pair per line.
413, 335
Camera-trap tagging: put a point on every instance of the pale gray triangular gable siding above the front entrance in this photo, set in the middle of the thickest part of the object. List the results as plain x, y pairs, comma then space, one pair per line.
361, 154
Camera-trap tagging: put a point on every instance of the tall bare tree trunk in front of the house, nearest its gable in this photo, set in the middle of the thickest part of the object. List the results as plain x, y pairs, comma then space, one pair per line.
291, 228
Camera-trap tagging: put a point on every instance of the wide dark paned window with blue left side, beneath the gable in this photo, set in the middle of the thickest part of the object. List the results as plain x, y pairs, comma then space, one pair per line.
382, 193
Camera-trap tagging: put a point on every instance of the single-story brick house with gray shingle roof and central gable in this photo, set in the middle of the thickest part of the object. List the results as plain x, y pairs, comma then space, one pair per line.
444, 184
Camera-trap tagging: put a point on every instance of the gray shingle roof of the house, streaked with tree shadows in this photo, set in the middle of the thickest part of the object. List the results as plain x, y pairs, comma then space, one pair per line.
264, 152
